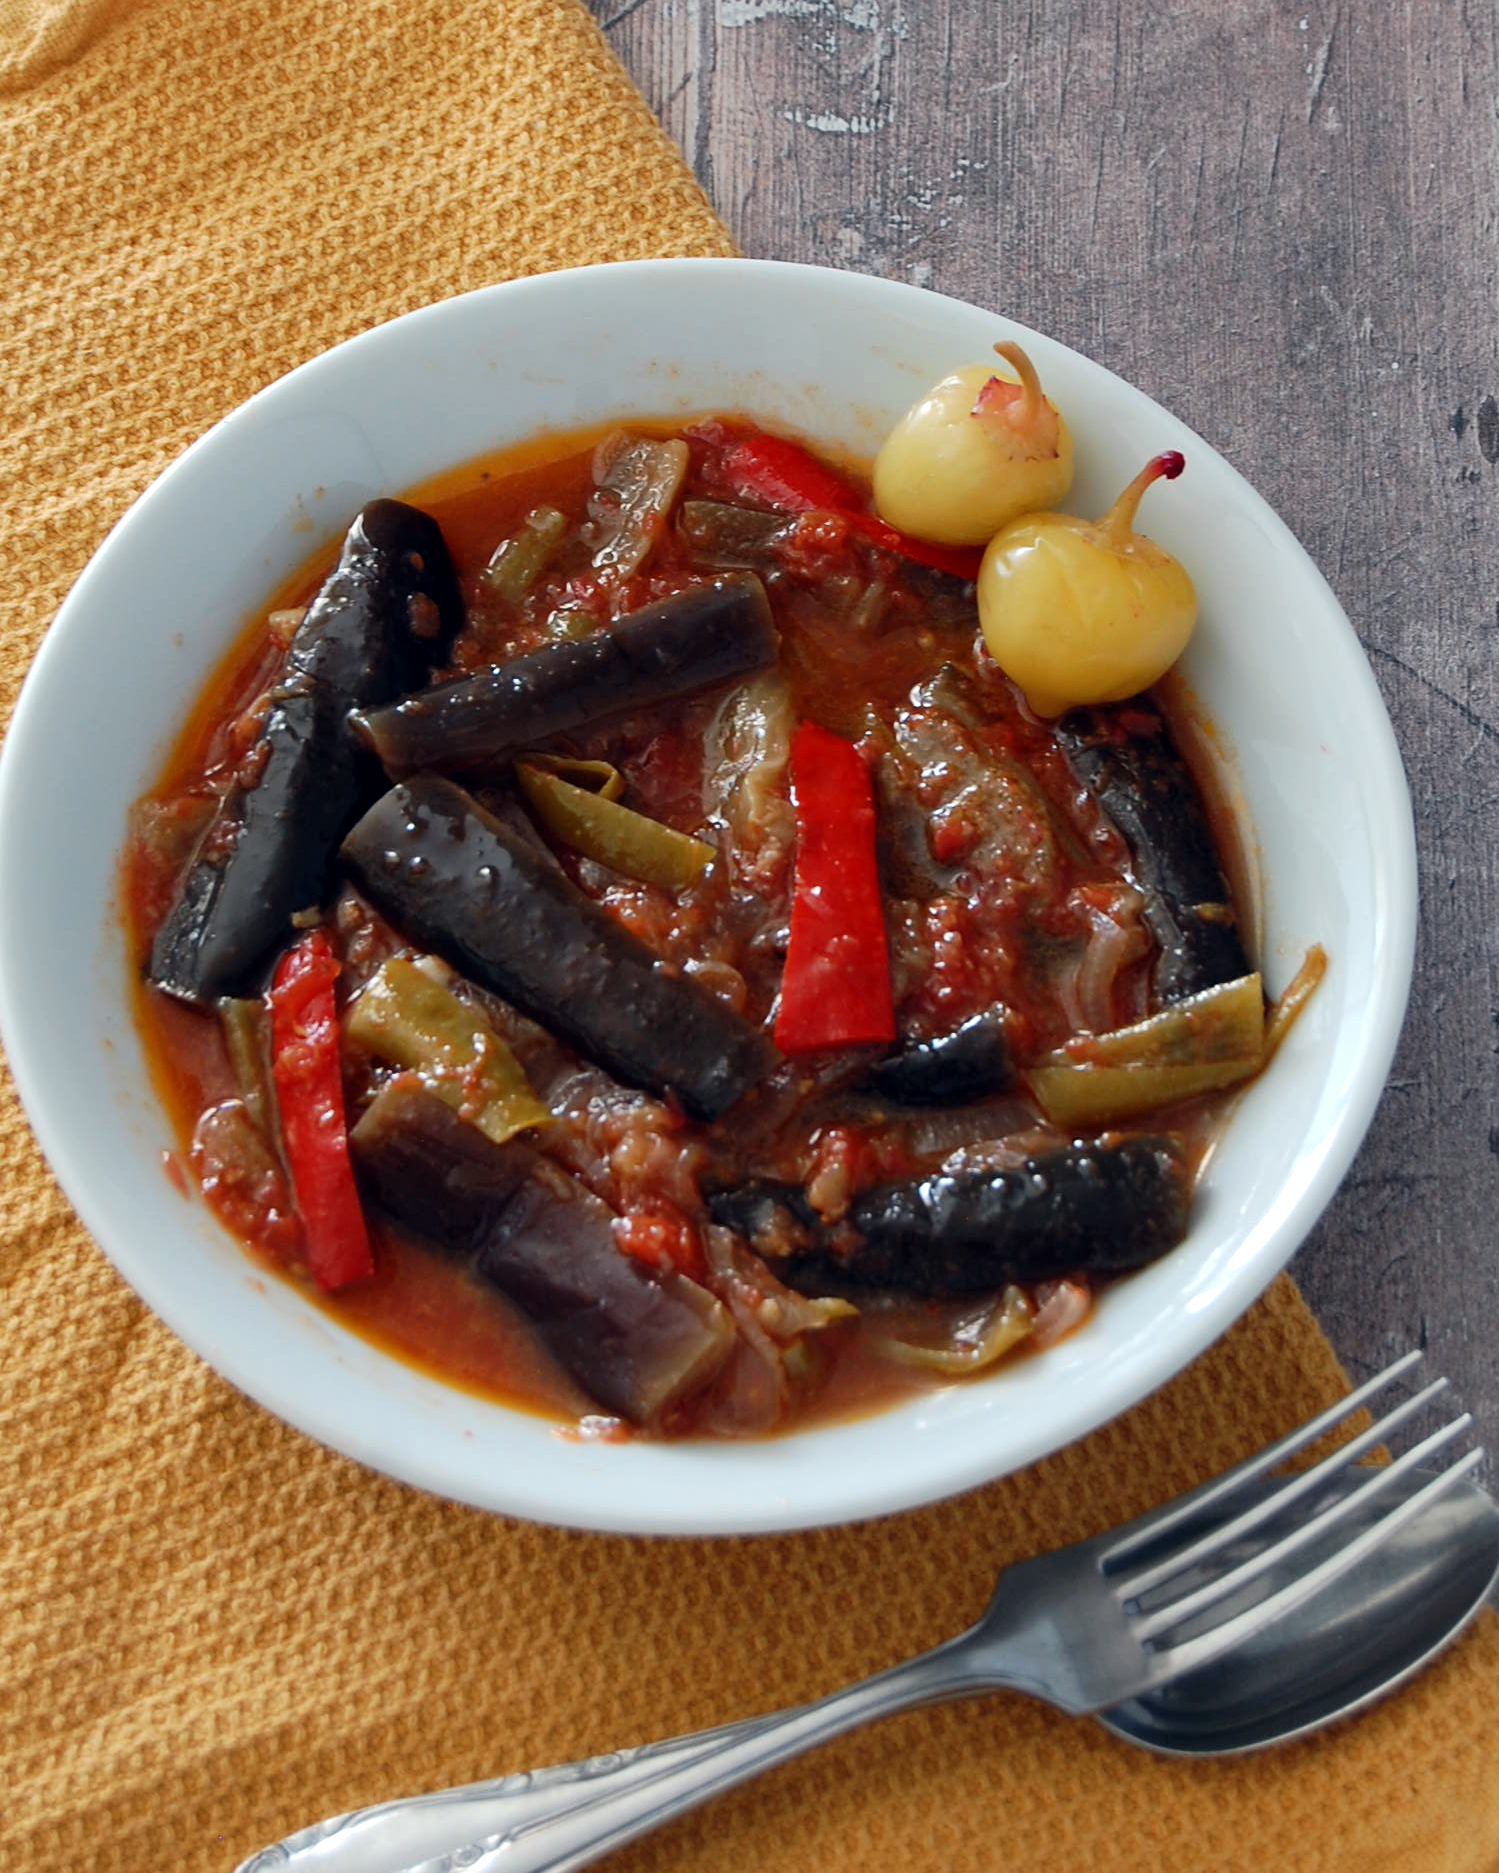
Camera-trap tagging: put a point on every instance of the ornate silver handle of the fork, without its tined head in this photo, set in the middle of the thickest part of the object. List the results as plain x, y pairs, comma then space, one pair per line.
554, 1820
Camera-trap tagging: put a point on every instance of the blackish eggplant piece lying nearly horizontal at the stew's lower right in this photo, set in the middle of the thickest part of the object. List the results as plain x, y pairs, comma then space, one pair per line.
1084, 1209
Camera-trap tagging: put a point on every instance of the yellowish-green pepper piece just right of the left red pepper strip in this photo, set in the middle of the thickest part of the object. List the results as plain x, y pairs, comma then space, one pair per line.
413, 1022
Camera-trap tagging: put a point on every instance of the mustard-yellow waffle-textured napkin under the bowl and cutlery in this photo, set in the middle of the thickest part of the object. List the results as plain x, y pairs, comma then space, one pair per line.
213, 1630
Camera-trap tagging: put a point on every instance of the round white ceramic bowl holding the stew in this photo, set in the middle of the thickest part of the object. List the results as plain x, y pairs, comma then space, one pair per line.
1275, 662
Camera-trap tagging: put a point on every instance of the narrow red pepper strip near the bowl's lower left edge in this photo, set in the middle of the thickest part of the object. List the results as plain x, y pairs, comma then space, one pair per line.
304, 1042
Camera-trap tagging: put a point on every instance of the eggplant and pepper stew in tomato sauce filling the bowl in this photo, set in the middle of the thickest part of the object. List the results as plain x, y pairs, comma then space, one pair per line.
619, 937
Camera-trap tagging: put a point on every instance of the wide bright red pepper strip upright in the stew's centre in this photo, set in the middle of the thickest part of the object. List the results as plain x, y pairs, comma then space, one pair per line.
837, 982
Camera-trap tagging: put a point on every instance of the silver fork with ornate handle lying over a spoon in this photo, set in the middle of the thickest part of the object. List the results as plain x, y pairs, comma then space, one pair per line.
1082, 1629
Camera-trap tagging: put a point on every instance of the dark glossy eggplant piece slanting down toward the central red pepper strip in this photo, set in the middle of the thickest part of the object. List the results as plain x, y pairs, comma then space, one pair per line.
451, 878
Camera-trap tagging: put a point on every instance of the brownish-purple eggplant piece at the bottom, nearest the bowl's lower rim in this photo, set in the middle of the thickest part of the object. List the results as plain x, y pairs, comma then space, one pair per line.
638, 1342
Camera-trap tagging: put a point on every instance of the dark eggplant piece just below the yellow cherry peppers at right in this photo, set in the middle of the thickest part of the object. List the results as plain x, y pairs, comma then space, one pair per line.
1146, 788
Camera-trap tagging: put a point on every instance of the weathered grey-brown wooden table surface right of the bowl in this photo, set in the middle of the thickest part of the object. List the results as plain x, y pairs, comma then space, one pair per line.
1281, 222
